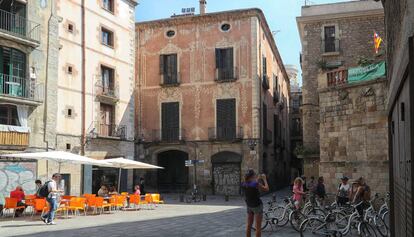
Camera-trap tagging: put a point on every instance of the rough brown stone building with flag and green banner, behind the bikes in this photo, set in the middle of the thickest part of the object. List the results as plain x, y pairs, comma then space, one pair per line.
349, 120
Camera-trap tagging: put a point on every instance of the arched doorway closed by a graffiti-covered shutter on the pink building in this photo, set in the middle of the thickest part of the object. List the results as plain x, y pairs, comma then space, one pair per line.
226, 173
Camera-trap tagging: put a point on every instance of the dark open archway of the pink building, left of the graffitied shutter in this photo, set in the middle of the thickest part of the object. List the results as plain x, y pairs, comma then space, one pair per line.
174, 176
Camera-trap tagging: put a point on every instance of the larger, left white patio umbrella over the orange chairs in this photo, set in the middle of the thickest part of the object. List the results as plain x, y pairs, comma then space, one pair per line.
60, 157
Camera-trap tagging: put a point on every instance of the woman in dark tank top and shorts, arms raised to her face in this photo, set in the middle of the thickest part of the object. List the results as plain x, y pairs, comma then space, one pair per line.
252, 186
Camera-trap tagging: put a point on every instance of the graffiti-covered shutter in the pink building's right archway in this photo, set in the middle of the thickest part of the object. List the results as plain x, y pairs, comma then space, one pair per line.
226, 178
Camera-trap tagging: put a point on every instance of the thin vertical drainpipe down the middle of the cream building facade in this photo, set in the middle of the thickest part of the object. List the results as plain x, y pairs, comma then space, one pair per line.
83, 98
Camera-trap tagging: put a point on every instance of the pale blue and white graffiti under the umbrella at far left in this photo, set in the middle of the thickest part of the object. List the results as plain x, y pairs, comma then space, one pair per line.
13, 174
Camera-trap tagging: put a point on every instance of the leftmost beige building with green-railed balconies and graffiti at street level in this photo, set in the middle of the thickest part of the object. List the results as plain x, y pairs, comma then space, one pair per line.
29, 57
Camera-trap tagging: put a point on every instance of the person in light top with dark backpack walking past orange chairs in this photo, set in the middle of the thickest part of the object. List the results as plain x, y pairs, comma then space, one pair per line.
51, 192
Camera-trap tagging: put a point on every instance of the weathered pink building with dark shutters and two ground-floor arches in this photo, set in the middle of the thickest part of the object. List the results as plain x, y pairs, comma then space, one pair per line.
211, 87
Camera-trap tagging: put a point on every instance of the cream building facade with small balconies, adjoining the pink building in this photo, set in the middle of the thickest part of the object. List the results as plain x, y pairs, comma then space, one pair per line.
96, 48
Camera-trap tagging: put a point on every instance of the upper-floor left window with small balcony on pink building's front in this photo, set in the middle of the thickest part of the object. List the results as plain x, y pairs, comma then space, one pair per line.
169, 69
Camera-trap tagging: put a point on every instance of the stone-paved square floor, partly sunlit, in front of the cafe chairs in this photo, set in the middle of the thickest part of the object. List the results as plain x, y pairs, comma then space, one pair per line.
214, 217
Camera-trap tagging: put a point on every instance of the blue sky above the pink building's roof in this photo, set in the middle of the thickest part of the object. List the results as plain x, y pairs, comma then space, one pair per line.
280, 14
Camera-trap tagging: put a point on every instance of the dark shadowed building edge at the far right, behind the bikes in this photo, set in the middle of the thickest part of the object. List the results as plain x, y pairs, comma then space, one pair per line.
399, 19
